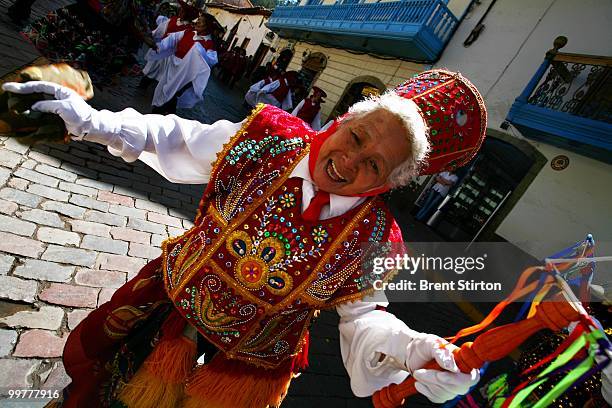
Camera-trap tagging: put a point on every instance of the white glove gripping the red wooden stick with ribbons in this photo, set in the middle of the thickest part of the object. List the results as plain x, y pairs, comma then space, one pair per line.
438, 386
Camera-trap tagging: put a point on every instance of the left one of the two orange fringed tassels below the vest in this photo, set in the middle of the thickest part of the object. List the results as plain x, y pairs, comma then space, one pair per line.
160, 381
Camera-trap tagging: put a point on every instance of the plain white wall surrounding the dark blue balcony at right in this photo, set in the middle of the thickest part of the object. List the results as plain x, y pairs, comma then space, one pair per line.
559, 207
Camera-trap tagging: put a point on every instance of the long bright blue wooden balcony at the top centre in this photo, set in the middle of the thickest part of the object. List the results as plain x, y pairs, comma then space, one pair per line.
414, 29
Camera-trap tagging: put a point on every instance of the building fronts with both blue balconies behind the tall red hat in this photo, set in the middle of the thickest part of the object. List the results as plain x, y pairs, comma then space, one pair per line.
536, 186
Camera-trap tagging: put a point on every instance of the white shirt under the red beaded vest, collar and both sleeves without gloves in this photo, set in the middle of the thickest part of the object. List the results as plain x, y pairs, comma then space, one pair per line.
183, 151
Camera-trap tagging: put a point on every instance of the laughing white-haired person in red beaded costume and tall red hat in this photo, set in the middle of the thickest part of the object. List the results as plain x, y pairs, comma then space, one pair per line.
277, 237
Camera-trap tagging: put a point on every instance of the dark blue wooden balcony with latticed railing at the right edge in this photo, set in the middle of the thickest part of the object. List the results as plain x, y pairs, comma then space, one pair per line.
568, 103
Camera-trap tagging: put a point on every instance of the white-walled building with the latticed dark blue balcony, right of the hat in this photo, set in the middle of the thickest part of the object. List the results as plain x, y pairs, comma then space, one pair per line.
563, 189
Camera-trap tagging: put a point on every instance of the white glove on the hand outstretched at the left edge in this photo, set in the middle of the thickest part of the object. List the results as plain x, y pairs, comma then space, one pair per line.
80, 118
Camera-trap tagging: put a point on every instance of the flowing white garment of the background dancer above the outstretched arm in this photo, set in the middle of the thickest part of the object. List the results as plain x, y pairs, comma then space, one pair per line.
193, 68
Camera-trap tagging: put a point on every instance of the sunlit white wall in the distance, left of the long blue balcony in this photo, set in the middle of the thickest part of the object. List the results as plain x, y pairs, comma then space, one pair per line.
251, 28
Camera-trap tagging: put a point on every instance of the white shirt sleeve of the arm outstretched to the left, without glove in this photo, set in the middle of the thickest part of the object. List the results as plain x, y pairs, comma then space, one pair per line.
181, 150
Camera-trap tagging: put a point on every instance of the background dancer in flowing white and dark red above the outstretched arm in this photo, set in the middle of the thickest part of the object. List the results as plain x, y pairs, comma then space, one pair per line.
190, 55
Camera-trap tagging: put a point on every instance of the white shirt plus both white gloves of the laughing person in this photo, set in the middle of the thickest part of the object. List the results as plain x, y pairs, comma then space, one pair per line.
377, 348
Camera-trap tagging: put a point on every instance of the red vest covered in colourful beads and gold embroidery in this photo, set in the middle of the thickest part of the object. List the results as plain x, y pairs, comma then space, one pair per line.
251, 273
